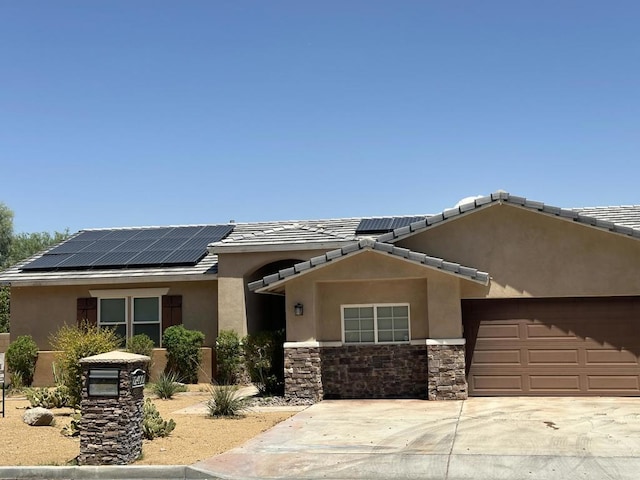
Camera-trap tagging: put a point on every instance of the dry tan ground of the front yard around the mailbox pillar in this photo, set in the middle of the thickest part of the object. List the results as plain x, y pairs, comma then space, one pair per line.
195, 438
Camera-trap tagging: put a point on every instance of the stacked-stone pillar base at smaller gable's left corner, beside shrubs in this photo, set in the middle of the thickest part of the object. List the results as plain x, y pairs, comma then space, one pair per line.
302, 373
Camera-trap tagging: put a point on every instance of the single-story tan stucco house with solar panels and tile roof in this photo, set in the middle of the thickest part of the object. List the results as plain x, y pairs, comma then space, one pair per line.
499, 295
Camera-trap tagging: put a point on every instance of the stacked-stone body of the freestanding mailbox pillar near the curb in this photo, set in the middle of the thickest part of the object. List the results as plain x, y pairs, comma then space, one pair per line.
111, 428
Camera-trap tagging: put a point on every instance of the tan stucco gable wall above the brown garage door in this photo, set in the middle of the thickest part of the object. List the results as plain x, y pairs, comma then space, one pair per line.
531, 254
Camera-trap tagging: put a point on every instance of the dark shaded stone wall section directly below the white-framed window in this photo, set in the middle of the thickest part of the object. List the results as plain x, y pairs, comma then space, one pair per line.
374, 371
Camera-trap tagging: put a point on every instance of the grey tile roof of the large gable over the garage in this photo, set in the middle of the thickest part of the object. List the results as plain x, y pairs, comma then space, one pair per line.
601, 218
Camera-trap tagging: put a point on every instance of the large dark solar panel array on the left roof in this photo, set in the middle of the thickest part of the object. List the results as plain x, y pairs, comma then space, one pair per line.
135, 247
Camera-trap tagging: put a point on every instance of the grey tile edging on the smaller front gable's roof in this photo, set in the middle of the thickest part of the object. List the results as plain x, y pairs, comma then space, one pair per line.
370, 244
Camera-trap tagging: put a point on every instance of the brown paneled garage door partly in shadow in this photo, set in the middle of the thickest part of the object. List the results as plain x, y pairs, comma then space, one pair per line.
587, 346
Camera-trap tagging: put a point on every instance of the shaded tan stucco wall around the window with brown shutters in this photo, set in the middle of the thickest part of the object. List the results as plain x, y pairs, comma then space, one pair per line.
40, 311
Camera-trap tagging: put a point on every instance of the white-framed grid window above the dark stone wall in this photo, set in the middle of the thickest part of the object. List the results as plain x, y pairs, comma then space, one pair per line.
376, 323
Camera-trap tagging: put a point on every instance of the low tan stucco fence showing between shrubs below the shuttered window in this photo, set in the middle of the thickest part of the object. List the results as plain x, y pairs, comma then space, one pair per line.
43, 376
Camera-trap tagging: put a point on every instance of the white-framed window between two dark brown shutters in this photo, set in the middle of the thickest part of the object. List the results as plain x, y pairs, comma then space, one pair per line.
132, 312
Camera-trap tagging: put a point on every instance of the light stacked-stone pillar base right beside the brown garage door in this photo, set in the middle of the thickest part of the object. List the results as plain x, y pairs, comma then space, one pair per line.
447, 379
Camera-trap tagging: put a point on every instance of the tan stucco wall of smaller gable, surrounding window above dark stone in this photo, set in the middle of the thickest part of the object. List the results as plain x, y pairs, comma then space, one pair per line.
434, 296
